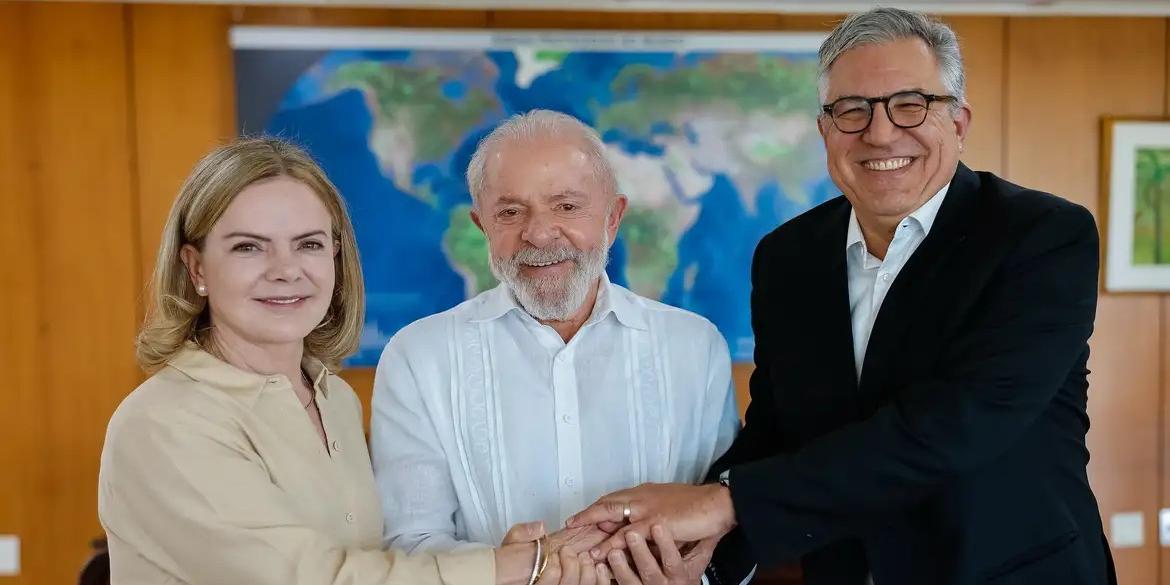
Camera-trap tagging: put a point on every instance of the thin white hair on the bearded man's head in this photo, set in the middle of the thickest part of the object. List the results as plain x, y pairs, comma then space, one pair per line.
540, 125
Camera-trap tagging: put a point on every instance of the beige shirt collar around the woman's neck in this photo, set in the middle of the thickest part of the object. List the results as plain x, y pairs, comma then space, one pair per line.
202, 367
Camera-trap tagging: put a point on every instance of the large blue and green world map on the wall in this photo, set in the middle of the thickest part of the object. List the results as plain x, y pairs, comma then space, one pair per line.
714, 147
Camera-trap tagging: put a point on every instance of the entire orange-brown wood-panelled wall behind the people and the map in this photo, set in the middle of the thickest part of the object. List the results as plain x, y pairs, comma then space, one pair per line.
105, 109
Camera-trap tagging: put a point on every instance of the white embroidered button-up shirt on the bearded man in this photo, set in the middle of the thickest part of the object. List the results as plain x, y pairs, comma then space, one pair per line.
484, 418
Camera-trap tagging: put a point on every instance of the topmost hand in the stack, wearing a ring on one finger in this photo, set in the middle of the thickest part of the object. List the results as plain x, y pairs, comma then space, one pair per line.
691, 513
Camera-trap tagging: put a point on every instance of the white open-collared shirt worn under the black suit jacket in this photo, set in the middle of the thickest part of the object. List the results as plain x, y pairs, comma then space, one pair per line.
871, 279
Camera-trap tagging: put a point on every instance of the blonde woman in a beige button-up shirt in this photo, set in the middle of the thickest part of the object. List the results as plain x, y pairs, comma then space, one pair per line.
242, 460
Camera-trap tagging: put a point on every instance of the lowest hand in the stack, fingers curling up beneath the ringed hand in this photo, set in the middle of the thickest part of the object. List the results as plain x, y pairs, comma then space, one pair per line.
676, 568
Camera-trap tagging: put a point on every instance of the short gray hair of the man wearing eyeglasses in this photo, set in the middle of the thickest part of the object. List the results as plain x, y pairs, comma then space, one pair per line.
887, 25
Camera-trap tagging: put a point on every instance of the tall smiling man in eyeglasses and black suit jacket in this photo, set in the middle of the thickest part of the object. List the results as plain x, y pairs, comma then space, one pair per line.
920, 416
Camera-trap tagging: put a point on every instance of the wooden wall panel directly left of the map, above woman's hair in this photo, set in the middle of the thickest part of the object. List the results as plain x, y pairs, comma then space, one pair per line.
184, 104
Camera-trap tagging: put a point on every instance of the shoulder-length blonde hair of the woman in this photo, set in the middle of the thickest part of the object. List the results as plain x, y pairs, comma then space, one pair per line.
178, 315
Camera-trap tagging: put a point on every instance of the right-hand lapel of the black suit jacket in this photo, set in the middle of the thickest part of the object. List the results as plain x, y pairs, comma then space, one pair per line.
923, 281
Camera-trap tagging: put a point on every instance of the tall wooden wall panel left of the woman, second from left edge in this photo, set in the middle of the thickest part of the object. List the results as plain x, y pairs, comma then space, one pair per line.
88, 252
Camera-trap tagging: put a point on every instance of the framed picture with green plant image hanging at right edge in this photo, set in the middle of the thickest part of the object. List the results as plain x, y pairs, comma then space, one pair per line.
1135, 173
